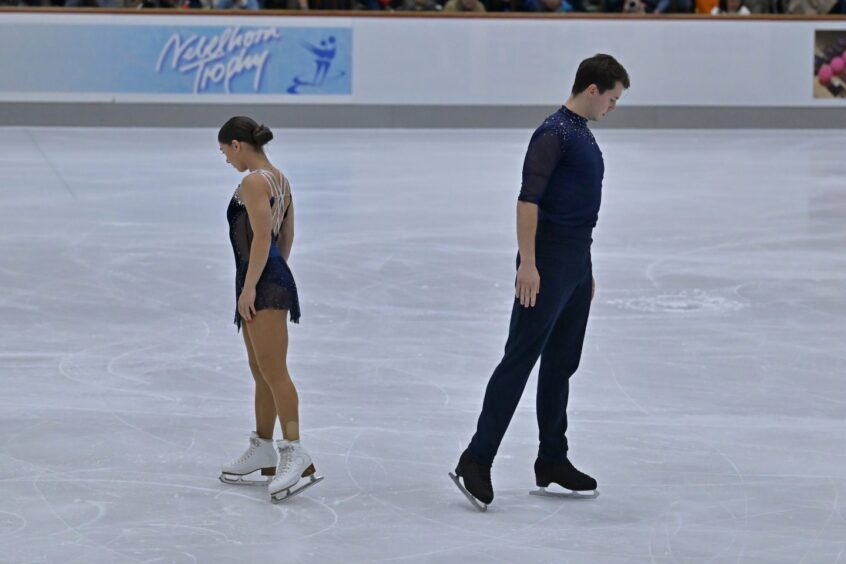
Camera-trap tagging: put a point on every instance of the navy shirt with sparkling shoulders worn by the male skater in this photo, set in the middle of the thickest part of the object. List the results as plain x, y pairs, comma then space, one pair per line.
563, 170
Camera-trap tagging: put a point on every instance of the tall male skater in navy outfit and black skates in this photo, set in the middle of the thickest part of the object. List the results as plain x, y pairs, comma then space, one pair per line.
556, 213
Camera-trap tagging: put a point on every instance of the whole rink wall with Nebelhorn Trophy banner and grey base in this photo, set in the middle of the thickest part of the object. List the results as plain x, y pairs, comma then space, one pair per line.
140, 69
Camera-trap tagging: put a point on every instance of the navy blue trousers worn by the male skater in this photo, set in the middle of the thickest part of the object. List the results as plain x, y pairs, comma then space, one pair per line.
554, 331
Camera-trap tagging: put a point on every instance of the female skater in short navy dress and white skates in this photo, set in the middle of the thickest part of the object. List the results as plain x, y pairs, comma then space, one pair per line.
261, 230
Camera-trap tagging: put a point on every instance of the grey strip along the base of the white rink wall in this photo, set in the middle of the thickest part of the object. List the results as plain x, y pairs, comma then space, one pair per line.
345, 116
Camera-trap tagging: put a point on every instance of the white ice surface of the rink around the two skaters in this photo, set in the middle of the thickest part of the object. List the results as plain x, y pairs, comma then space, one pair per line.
710, 404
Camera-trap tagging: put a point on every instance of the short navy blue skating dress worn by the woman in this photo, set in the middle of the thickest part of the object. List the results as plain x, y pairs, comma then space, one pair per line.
275, 288
